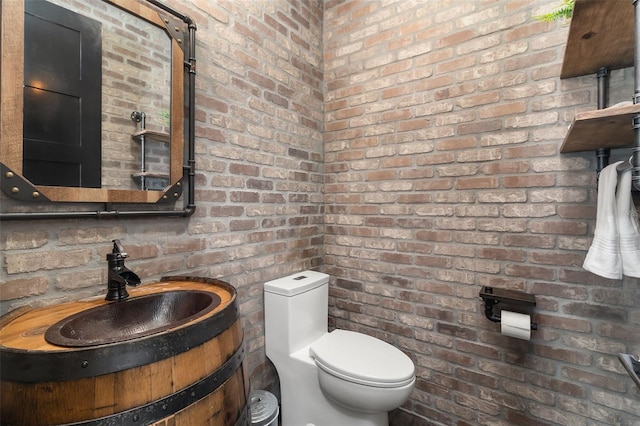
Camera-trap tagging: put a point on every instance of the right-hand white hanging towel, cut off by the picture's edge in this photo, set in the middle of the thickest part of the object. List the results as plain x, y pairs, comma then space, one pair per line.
628, 227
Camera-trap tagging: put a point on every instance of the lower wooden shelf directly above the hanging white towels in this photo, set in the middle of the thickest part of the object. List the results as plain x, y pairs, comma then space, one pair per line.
604, 128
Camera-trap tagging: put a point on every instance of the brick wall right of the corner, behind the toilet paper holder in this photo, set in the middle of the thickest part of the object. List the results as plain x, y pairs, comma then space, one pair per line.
443, 123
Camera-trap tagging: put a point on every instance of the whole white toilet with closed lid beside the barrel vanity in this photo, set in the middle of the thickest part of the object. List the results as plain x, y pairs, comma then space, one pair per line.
340, 378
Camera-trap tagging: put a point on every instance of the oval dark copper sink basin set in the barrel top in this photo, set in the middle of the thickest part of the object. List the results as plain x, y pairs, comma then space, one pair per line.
131, 318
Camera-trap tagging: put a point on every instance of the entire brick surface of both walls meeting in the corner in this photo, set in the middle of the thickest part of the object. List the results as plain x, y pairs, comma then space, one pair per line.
443, 121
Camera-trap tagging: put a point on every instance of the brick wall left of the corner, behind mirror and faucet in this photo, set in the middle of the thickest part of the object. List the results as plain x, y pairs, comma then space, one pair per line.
259, 165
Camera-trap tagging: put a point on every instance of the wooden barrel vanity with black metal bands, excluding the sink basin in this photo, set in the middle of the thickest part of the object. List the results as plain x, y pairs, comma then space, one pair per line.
192, 374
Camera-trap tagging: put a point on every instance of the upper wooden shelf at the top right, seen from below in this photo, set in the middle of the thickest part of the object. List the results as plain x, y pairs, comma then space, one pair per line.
601, 35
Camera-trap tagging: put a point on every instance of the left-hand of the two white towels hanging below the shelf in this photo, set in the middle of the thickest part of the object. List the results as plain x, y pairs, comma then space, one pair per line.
603, 257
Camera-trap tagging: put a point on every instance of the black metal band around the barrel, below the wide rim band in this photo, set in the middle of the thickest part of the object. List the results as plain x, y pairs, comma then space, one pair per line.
162, 408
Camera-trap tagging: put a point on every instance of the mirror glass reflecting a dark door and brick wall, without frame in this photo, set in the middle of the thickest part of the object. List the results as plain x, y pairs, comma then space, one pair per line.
88, 66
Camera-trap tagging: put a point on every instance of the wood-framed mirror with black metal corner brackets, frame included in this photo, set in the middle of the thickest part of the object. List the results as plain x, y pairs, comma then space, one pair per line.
146, 88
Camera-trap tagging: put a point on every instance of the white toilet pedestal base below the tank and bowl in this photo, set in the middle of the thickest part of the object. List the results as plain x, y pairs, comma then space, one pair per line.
304, 404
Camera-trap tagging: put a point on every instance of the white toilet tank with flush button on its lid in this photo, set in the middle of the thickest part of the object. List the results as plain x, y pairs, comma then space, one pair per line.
296, 310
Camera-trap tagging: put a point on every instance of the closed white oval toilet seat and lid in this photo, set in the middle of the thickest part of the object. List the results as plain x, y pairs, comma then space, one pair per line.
362, 359
